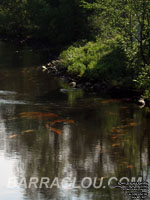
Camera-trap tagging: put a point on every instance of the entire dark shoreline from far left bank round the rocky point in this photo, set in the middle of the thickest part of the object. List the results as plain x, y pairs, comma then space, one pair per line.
74, 81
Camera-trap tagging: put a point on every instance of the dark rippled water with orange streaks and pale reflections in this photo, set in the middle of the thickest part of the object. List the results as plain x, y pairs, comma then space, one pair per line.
52, 131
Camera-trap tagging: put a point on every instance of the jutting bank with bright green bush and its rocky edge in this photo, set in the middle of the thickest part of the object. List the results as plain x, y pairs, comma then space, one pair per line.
99, 66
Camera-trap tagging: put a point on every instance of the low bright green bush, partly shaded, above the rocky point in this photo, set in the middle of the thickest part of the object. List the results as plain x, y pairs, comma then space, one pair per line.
100, 60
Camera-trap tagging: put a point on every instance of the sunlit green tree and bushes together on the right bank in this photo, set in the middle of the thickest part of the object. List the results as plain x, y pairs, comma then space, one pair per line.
129, 60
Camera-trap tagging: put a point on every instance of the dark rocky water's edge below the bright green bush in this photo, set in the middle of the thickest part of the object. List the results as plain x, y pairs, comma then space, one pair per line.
73, 81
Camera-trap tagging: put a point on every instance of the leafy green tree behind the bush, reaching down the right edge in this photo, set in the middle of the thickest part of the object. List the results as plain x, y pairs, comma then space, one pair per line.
131, 20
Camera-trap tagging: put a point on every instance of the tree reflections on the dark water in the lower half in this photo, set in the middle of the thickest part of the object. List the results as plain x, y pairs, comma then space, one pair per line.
85, 149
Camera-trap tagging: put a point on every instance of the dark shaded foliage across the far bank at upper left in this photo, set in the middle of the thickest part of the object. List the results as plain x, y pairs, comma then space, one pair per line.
58, 22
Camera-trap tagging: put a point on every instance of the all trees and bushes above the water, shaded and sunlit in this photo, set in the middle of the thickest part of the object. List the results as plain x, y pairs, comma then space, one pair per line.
101, 41
